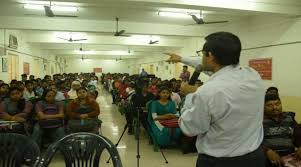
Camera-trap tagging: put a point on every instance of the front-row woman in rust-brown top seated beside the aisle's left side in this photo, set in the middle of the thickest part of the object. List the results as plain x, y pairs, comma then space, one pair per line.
83, 113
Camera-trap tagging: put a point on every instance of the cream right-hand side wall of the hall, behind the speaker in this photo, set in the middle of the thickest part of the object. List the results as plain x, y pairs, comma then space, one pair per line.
260, 31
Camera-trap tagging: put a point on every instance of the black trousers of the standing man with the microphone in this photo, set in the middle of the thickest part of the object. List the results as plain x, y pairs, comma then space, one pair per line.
253, 159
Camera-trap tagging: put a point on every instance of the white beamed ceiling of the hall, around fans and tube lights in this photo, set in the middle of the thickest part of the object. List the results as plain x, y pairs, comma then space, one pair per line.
96, 19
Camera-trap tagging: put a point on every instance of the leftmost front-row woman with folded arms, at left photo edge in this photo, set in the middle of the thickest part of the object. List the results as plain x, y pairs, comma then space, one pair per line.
15, 108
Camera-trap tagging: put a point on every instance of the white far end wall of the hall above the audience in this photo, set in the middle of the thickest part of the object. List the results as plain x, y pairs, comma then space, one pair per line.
87, 65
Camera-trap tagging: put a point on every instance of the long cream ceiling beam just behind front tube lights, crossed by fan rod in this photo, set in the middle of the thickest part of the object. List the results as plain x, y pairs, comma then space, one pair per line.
77, 25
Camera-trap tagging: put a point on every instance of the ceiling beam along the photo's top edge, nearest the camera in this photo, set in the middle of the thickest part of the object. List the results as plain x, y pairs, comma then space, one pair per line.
291, 7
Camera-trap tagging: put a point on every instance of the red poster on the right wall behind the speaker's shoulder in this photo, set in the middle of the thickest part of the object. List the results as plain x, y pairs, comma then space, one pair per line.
263, 67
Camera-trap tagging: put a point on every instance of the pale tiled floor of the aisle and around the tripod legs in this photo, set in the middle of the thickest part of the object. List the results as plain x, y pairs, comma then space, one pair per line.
112, 127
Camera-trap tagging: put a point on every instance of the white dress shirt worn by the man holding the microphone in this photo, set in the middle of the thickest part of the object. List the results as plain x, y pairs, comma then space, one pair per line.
226, 113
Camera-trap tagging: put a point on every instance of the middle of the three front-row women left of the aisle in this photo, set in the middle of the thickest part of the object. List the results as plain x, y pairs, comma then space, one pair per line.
50, 115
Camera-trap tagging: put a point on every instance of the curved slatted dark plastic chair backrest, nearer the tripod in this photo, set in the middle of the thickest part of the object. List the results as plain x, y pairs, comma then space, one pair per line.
82, 149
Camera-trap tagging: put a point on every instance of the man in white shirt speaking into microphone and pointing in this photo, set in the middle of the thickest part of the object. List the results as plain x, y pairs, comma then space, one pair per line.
226, 113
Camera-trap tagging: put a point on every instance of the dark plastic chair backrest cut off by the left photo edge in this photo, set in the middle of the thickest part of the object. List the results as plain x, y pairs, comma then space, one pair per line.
17, 150
